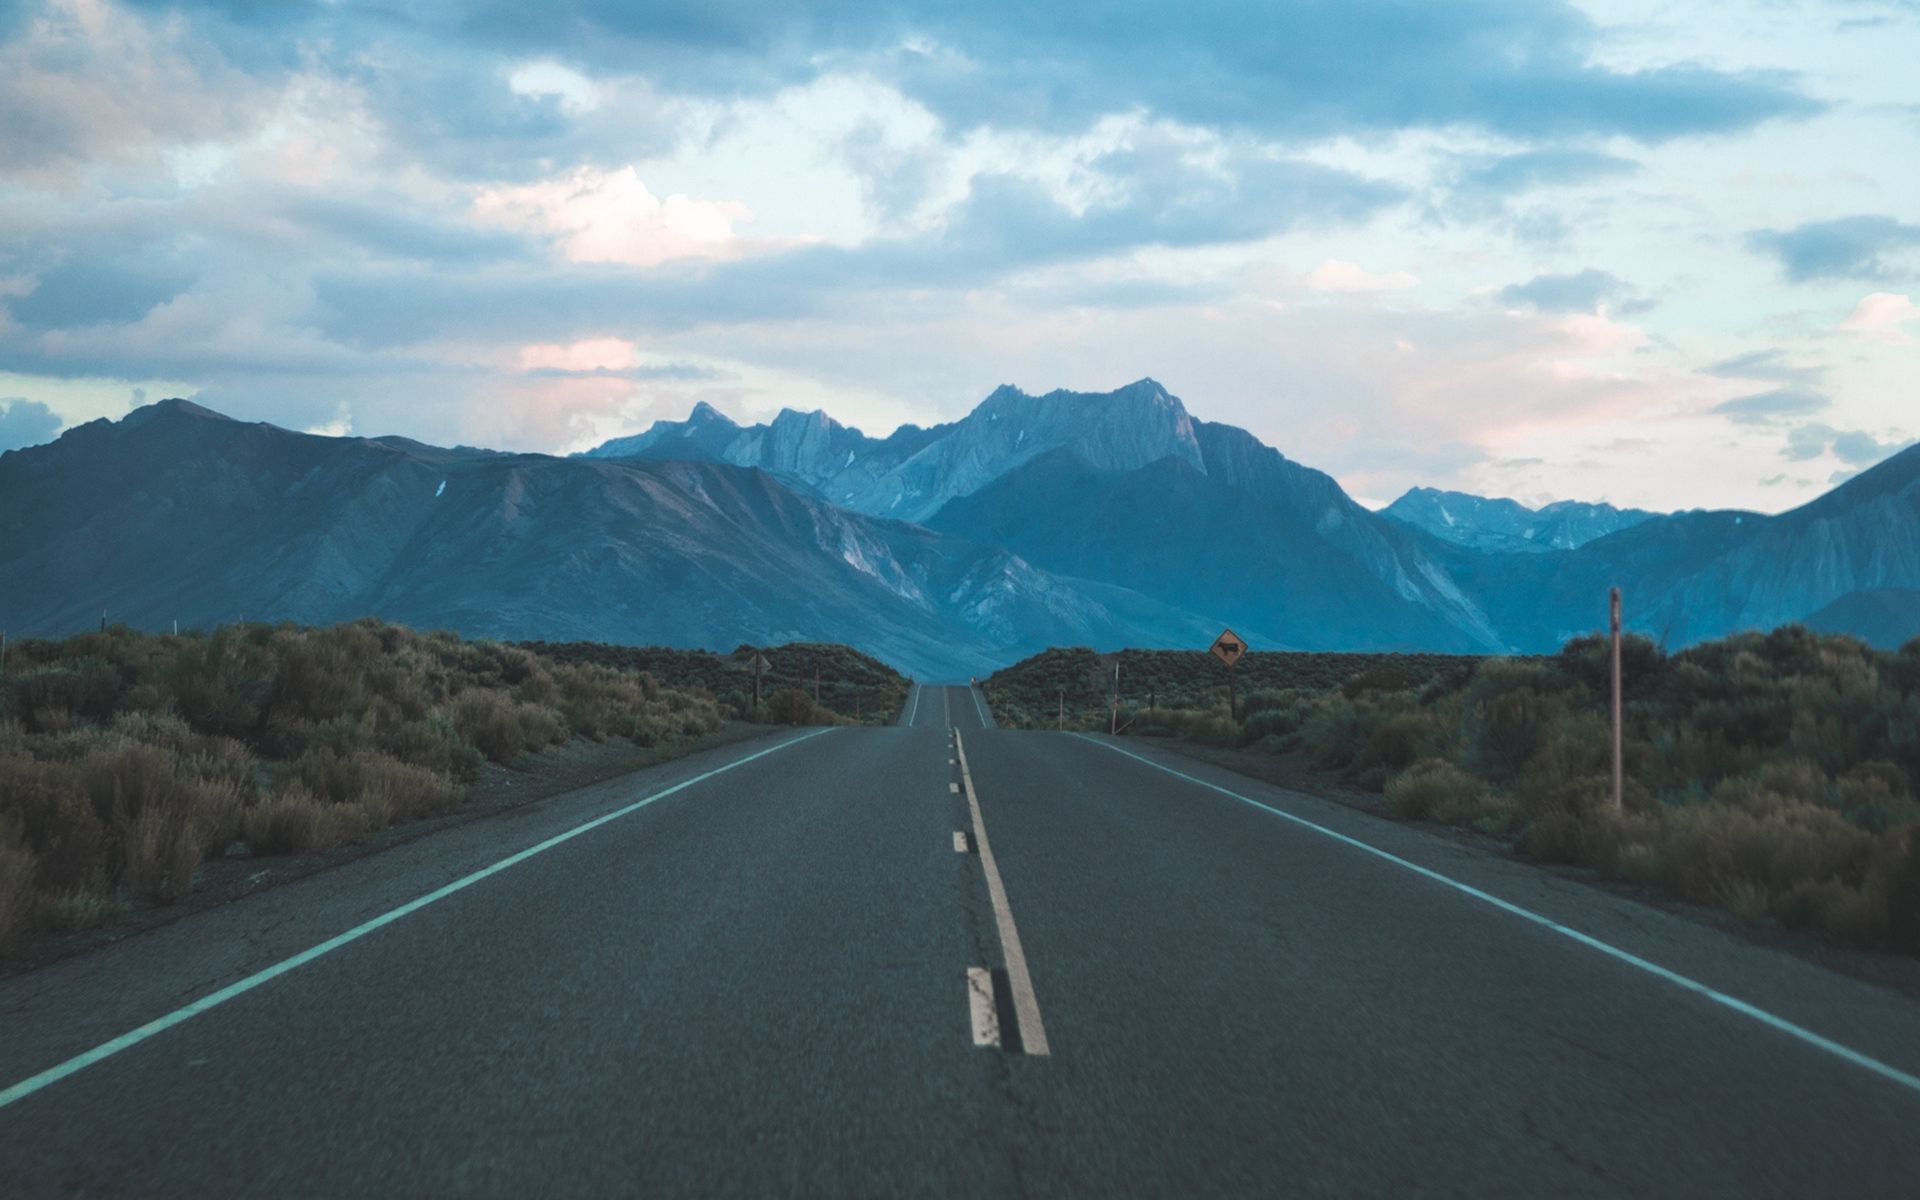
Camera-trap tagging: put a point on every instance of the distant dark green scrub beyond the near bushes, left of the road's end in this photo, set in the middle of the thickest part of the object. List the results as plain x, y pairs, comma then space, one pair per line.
853, 688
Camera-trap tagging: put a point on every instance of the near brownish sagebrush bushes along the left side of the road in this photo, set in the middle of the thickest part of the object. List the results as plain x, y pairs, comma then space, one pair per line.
128, 759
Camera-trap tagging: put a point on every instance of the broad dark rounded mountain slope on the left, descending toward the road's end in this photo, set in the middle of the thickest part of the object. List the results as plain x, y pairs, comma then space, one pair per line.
178, 514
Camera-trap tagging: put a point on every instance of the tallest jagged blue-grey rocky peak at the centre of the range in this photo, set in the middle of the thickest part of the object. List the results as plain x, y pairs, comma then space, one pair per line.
921, 475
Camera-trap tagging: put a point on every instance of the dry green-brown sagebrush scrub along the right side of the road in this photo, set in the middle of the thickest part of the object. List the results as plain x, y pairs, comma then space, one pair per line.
1769, 775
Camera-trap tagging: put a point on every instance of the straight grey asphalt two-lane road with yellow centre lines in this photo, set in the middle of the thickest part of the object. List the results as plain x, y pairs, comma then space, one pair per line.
794, 967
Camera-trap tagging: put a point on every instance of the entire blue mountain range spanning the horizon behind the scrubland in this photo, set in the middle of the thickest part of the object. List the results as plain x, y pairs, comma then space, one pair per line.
1061, 519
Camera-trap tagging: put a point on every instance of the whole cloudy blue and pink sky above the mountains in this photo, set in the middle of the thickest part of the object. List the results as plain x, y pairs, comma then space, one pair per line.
1644, 252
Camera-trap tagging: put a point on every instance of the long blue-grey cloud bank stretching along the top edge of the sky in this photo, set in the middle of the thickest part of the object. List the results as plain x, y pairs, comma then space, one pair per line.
1314, 68
